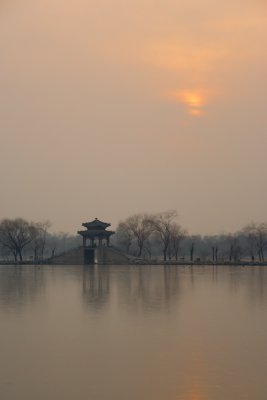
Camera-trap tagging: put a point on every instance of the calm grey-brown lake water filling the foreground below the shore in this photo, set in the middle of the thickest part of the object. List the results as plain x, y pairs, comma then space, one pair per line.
133, 333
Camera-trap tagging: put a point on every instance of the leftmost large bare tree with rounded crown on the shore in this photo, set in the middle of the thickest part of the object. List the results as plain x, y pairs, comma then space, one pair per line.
16, 234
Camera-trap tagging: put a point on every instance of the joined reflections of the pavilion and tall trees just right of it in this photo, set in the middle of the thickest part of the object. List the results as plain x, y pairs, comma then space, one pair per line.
138, 288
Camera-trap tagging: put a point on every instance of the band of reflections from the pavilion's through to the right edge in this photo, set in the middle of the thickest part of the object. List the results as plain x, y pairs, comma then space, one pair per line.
148, 288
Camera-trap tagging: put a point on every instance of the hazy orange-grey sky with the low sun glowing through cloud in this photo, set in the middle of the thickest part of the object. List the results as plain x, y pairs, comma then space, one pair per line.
112, 107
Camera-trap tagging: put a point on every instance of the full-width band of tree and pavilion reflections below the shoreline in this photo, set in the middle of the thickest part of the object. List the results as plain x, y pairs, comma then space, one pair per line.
138, 288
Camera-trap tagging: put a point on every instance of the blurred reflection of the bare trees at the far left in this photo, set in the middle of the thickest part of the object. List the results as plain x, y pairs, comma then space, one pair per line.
20, 286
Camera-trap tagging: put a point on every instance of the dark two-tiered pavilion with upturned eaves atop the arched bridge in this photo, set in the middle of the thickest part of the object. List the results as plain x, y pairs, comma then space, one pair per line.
96, 233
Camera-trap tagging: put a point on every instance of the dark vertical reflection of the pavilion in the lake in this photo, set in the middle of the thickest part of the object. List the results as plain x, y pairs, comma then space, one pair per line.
95, 286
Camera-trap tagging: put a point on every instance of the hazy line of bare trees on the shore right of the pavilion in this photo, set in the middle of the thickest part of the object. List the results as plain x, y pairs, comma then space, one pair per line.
160, 235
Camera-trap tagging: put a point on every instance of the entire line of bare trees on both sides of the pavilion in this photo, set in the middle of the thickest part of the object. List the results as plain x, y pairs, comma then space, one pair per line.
143, 235
